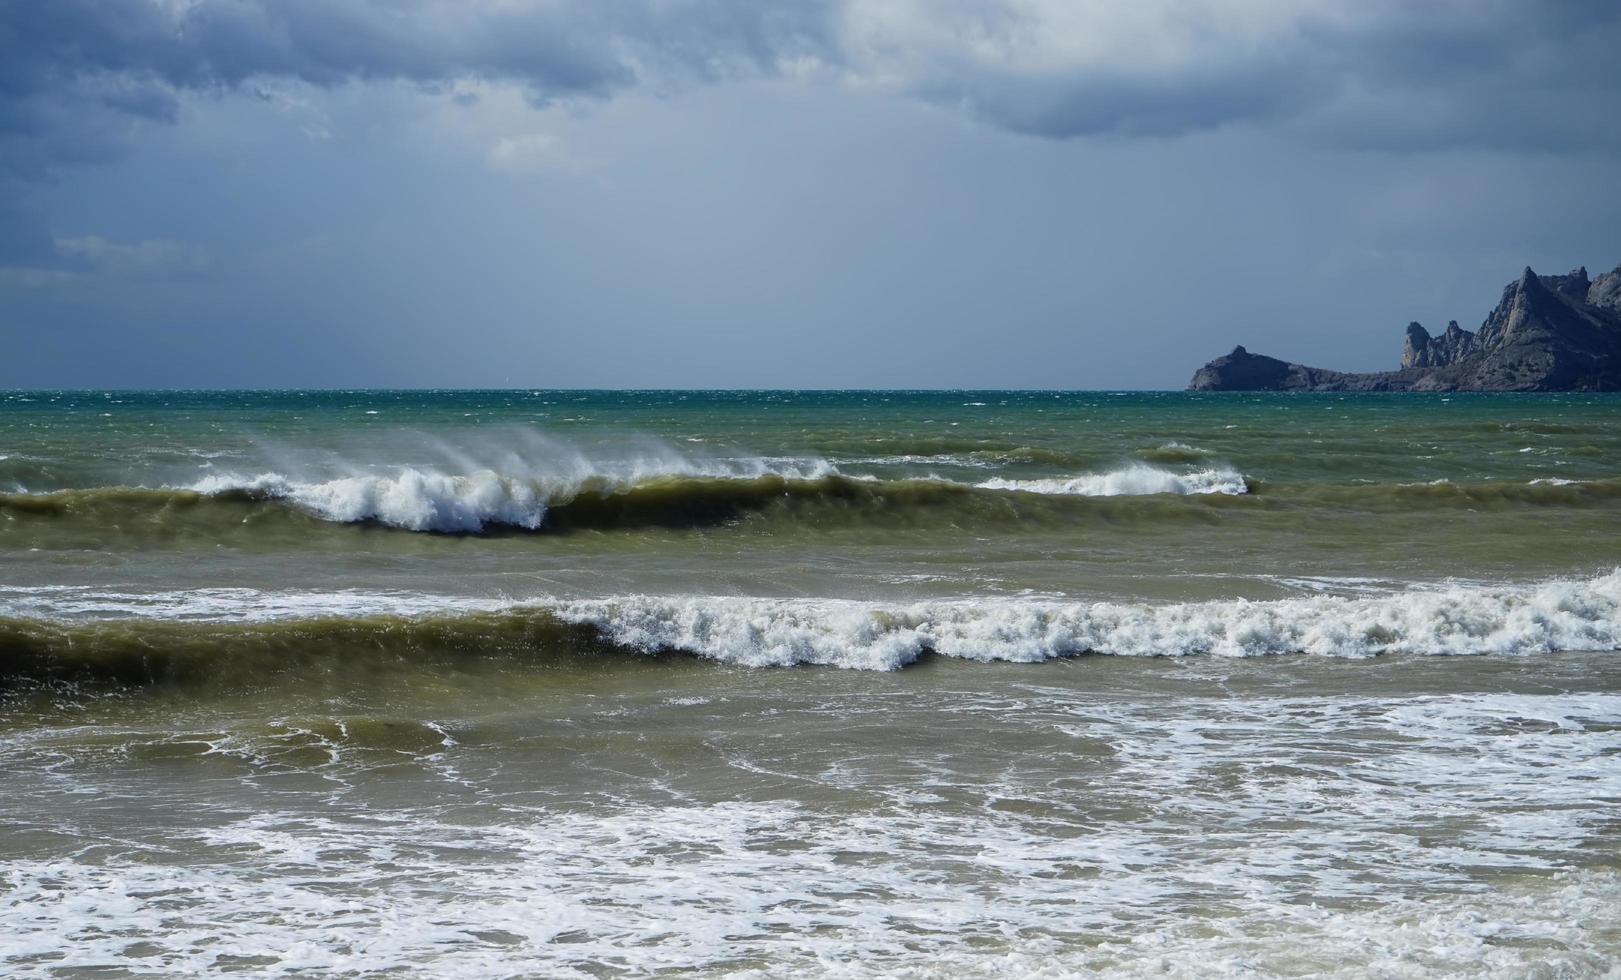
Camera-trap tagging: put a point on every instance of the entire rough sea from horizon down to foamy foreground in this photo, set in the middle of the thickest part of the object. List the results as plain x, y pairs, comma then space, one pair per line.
810, 684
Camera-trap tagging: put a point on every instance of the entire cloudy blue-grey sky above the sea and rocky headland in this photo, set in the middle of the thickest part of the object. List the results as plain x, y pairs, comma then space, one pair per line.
782, 194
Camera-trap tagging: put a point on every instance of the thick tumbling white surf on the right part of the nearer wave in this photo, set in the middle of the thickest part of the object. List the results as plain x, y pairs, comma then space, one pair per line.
852, 634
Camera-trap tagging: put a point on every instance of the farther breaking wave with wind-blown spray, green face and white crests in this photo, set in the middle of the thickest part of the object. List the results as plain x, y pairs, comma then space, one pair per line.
798, 495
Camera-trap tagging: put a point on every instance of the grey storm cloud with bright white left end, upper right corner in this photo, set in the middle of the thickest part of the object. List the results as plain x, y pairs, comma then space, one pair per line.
1492, 74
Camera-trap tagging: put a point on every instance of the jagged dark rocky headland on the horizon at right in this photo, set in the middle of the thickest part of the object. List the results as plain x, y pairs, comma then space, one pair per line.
1547, 334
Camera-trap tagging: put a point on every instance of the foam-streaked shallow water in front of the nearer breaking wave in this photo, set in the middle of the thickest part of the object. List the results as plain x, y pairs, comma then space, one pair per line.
1158, 837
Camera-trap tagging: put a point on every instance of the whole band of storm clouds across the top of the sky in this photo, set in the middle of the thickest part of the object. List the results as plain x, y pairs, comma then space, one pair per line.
79, 79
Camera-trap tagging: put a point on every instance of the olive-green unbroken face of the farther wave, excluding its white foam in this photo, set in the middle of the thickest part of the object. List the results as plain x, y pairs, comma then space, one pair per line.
108, 516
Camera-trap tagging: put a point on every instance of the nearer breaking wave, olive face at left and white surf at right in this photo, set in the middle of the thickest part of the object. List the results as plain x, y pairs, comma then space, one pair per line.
229, 636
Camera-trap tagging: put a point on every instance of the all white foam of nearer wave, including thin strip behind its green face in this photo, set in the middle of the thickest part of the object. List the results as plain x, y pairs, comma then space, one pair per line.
759, 633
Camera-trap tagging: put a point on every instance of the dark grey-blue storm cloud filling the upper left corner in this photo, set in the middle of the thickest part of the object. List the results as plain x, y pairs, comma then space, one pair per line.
80, 77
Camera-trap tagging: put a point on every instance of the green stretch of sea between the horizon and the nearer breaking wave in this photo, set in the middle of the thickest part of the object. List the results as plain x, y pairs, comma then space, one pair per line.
813, 493
